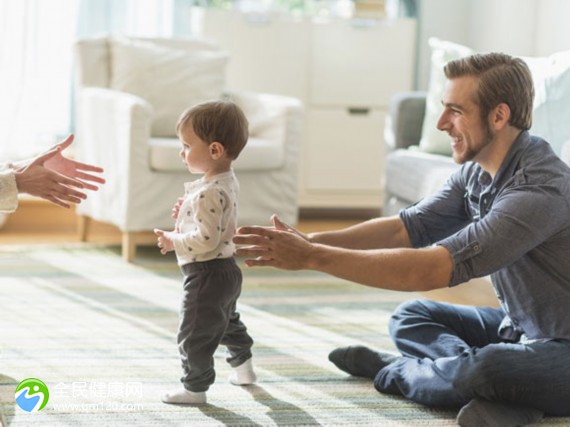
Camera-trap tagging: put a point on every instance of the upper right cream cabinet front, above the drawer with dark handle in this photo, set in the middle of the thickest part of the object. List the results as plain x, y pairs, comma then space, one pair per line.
355, 66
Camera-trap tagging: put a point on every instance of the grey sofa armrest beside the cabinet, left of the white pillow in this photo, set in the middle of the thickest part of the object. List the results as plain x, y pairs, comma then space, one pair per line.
405, 120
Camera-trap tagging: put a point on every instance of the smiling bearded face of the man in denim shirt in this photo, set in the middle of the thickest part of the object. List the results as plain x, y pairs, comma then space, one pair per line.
461, 119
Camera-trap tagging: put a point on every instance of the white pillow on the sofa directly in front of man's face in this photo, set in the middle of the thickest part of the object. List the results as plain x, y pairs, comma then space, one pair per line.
433, 140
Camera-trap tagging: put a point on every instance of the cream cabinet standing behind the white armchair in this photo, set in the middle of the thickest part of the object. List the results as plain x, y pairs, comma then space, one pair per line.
345, 71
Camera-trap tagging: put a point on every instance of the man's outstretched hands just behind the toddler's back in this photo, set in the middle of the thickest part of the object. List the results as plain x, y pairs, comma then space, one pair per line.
280, 246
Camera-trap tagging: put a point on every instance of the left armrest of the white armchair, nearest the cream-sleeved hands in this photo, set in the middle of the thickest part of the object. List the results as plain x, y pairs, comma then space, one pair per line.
113, 129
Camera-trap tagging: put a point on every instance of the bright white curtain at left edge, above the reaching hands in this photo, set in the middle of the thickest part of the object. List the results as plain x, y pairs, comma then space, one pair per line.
35, 64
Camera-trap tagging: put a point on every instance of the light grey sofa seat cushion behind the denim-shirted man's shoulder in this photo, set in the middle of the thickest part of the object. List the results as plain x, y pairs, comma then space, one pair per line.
413, 174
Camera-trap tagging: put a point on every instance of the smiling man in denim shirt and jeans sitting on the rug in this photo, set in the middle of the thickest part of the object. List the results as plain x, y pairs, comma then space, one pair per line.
506, 213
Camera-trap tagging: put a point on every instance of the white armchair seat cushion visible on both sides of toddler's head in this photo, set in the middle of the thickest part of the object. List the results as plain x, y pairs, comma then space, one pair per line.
258, 154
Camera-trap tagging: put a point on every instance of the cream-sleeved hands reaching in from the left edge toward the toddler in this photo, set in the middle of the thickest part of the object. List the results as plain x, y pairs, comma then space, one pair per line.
49, 176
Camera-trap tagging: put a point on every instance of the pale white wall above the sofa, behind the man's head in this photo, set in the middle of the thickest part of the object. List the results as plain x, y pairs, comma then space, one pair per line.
517, 27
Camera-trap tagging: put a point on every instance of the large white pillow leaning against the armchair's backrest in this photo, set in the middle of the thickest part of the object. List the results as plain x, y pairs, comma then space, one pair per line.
171, 80
